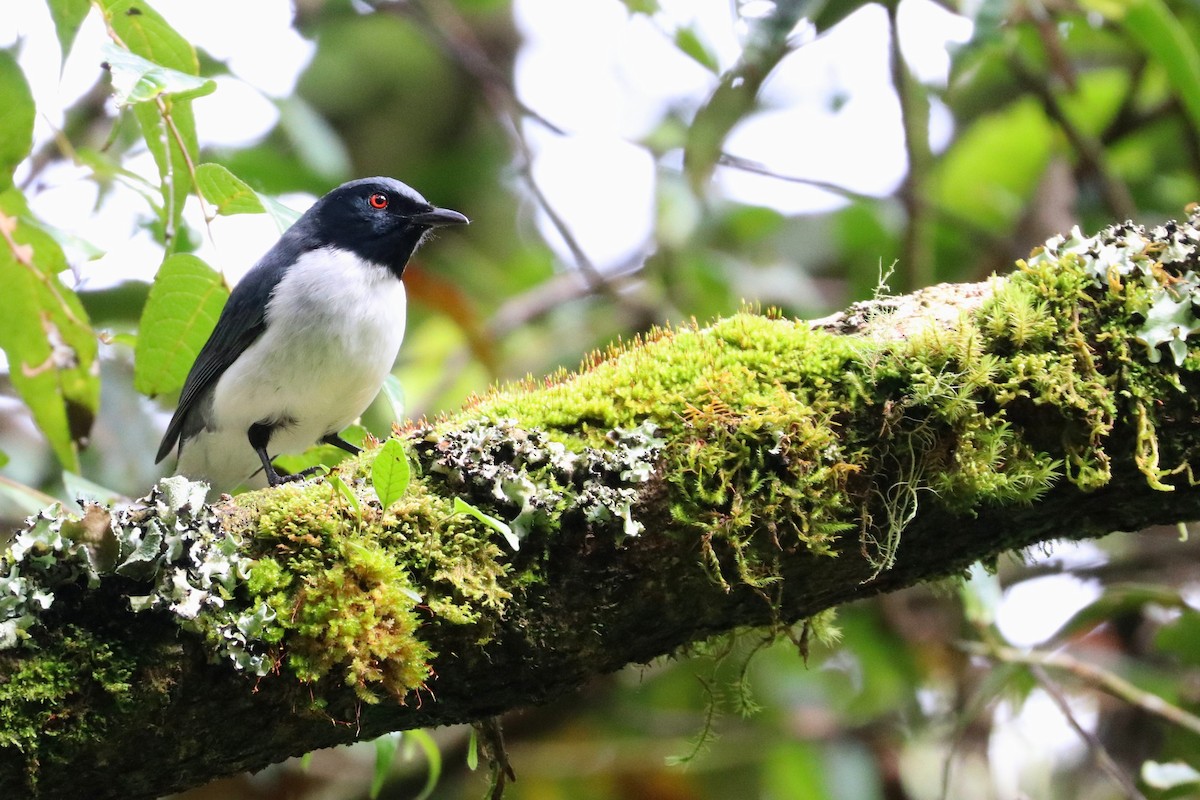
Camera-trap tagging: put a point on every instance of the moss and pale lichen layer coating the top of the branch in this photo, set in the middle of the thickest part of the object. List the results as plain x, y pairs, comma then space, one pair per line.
755, 438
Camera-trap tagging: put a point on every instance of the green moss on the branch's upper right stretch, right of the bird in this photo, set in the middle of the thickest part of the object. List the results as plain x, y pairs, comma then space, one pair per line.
771, 425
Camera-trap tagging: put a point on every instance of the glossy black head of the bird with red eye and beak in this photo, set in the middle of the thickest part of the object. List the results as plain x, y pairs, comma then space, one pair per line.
379, 219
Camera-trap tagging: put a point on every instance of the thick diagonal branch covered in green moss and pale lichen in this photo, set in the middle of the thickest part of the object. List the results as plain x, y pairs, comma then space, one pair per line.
752, 473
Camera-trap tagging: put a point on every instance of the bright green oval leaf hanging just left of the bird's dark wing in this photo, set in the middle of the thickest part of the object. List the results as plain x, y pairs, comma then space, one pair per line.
182, 311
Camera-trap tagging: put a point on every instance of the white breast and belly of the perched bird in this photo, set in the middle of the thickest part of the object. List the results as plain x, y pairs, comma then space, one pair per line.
334, 327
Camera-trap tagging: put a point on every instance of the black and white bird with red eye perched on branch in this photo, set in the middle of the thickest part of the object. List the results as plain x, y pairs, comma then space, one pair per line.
307, 339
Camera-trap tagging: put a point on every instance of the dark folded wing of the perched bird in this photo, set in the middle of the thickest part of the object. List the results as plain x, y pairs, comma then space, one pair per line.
242, 322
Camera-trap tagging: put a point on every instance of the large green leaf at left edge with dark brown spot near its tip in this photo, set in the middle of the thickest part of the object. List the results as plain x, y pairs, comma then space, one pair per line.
46, 333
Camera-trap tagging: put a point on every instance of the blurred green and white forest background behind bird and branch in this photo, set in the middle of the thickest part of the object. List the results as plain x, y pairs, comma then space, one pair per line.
640, 163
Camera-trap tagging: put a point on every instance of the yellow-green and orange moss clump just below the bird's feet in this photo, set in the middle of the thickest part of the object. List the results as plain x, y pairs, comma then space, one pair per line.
341, 592
